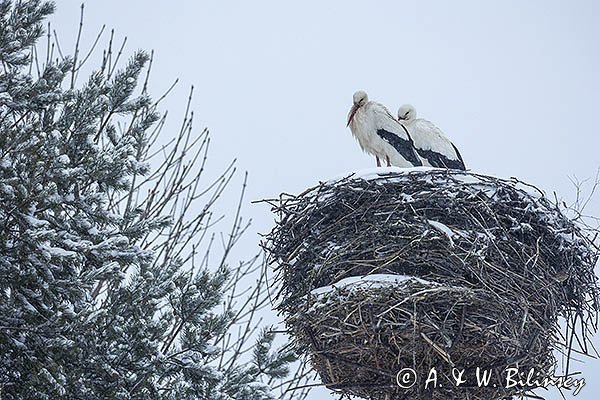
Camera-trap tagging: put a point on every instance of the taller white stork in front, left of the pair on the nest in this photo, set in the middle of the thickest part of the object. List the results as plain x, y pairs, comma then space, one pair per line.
379, 134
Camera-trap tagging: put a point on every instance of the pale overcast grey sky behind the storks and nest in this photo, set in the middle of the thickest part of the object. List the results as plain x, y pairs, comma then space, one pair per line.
514, 84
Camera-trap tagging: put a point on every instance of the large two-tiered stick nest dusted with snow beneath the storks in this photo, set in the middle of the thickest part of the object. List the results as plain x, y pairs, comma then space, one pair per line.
496, 265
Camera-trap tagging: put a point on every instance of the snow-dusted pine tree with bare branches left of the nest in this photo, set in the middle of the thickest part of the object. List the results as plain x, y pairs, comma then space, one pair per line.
107, 286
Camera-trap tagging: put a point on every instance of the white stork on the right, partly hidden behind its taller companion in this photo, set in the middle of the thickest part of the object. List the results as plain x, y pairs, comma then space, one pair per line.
430, 143
